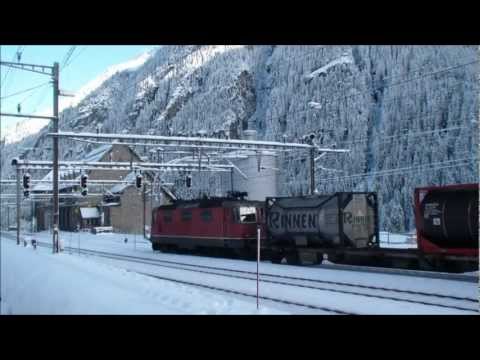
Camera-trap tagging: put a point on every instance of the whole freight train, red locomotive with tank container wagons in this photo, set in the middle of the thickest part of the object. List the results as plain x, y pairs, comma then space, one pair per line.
342, 227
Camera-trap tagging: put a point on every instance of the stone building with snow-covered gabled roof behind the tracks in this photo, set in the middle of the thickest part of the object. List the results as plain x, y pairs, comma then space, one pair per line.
122, 206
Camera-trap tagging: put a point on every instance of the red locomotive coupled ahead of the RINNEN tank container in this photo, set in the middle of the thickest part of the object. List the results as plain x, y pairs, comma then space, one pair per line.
209, 225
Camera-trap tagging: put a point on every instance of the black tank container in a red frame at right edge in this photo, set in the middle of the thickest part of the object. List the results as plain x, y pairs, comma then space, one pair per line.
447, 223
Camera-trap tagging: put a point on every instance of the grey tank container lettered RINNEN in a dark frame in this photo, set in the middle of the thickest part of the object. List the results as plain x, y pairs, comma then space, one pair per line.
339, 220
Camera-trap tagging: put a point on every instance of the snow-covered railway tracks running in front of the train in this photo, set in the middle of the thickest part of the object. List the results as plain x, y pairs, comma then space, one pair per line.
391, 294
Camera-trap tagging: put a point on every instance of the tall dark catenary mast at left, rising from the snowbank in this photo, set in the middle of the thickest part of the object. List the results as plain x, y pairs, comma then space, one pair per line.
56, 216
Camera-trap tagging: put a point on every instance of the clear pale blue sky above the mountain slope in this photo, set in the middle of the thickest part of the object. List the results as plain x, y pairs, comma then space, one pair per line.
86, 63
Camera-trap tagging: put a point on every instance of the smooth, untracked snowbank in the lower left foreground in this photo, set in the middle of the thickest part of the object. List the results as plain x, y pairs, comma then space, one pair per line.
38, 282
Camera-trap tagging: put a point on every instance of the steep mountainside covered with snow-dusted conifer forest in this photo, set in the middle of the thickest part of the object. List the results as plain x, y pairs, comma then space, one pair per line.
409, 114
